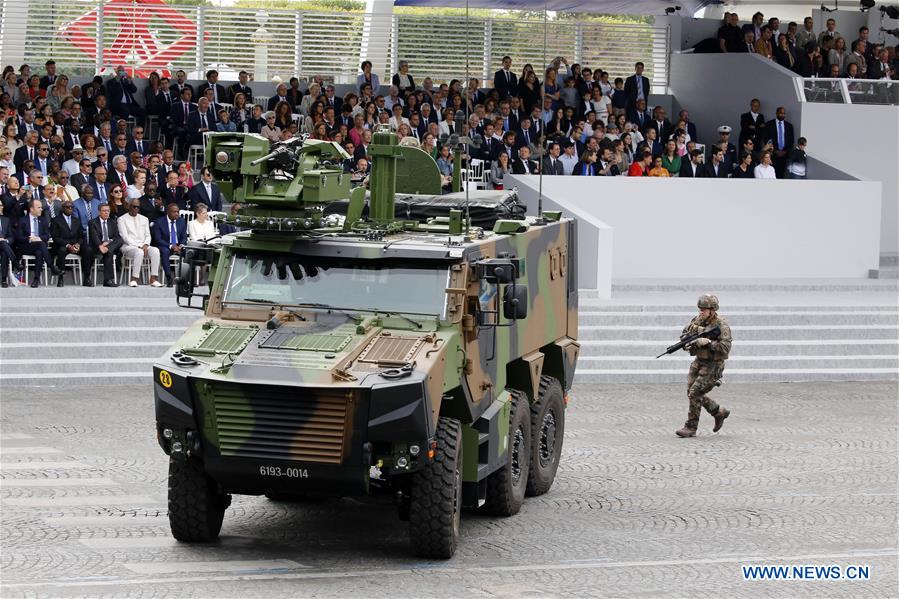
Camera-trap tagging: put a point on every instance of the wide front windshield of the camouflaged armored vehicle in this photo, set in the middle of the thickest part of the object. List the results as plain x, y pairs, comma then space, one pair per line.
383, 285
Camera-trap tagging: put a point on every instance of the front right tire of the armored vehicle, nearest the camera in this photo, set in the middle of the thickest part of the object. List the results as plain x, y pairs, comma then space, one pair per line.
435, 505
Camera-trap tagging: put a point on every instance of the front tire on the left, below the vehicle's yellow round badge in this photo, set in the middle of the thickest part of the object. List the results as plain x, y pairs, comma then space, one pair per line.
196, 506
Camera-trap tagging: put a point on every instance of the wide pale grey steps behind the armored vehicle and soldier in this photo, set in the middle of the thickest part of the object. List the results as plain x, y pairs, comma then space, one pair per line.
783, 331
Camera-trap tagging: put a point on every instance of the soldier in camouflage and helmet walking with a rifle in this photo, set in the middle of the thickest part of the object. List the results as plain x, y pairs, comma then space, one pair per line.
707, 368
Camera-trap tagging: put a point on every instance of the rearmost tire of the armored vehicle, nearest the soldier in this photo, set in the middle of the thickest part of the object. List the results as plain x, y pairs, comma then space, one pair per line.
547, 430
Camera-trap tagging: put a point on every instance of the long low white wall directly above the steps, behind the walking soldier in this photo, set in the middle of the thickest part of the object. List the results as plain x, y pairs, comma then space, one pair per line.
707, 228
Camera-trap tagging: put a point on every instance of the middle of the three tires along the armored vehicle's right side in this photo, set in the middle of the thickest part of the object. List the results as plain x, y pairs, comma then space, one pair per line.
506, 486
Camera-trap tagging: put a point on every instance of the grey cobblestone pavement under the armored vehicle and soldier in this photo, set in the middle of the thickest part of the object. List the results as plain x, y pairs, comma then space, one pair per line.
800, 474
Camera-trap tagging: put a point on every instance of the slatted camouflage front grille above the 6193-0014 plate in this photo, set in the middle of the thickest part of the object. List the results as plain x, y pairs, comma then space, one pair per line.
281, 423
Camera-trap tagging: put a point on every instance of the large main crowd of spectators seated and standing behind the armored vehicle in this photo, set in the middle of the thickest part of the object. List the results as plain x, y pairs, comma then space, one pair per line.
80, 177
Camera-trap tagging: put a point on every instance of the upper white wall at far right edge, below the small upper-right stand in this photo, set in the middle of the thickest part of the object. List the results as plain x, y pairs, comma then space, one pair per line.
862, 141
